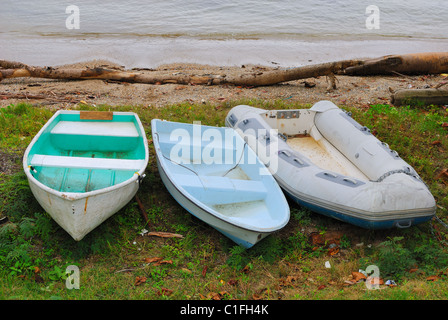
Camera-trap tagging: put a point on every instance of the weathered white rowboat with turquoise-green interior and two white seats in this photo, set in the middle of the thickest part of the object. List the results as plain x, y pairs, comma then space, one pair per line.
83, 166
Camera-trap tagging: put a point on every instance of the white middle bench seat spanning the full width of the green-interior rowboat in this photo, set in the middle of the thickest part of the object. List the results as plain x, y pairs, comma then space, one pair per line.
40, 160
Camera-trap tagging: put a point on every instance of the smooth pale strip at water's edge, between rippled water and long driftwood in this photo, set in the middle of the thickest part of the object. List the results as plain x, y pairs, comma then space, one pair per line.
153, 52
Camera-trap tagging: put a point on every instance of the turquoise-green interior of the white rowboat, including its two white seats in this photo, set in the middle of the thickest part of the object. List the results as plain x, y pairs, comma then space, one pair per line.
78, 155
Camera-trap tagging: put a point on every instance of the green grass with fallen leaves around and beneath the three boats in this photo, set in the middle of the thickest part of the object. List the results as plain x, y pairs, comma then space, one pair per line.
35, 251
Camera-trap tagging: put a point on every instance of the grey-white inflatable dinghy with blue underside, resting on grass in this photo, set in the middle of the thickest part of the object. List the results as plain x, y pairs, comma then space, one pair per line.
328, 162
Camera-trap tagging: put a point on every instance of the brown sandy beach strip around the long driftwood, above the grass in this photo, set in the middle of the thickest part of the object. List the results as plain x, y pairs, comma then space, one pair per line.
351, 91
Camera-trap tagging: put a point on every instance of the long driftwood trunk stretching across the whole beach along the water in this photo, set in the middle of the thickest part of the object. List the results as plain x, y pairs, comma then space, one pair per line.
423, 63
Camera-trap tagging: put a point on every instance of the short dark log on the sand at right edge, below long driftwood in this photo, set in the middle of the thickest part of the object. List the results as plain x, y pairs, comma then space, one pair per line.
420, 97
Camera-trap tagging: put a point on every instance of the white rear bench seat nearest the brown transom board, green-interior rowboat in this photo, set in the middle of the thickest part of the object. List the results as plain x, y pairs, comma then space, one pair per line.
115, 129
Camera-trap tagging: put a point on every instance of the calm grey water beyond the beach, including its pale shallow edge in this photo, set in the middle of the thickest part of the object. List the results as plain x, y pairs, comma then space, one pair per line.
149, 33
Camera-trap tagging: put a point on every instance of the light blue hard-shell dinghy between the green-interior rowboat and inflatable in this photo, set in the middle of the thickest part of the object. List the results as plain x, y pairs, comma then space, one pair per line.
213, 174
